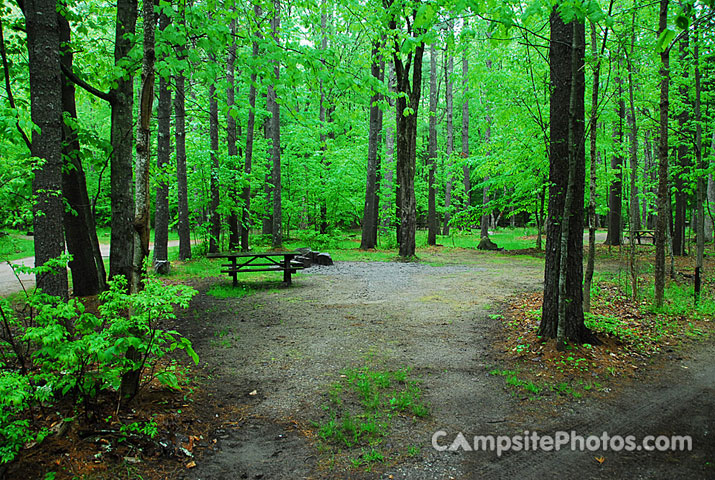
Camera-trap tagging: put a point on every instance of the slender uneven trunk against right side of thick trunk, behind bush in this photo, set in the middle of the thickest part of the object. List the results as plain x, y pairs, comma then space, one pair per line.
142, 214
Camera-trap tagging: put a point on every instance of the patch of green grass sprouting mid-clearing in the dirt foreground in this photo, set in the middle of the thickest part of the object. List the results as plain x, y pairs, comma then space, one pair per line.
360, 411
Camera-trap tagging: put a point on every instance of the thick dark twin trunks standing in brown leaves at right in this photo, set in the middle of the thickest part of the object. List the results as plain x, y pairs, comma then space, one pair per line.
565, 125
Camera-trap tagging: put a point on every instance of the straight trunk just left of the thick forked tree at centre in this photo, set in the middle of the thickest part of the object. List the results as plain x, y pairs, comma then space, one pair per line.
370, 212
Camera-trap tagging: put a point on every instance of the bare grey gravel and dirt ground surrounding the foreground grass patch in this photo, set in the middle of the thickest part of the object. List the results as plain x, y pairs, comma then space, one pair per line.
288, 345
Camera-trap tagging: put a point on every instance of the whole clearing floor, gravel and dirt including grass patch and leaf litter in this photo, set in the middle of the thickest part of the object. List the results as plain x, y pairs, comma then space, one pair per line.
286, 373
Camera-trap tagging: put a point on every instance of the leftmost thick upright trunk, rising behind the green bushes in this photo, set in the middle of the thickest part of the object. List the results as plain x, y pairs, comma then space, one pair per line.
43, 45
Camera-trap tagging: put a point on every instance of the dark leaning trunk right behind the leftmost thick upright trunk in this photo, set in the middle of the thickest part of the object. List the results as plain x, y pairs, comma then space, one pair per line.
87, 266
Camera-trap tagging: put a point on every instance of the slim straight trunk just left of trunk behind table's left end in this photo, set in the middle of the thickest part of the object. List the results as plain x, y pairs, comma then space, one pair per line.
181, 180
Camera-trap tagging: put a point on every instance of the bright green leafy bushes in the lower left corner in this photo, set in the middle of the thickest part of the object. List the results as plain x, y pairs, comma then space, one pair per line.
52, 348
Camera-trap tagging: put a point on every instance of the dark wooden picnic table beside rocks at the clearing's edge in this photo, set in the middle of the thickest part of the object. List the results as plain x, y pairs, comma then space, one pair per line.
259, 262
